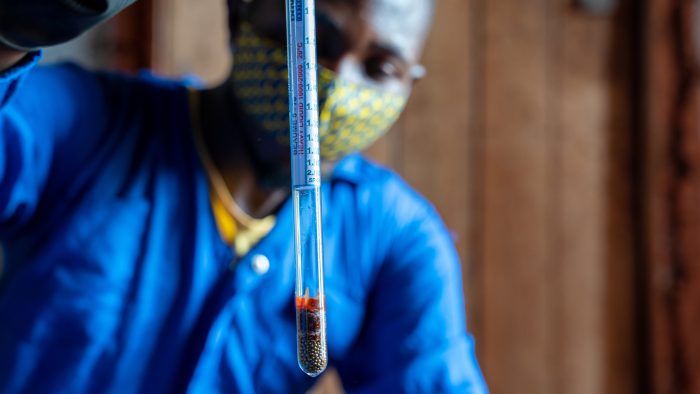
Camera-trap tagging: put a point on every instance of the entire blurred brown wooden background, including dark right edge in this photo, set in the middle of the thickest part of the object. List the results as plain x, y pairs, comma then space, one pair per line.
558, 139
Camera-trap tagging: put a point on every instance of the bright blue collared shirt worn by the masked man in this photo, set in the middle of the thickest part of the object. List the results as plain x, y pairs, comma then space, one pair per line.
117, 281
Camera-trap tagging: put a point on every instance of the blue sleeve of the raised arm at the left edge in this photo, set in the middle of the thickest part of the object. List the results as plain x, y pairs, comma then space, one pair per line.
50, 118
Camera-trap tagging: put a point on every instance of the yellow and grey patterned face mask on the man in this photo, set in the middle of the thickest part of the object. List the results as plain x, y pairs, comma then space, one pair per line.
352, 115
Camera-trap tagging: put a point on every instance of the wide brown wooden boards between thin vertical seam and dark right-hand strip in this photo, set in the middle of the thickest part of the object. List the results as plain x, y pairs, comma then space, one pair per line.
557, 253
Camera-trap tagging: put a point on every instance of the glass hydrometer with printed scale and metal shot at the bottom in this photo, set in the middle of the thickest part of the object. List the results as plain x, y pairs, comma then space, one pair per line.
306, 186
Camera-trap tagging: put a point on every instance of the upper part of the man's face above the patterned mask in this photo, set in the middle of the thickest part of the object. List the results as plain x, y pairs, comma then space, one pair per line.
377, 42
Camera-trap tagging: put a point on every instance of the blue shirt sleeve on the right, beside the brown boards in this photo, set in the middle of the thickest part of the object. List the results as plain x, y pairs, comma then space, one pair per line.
415, 338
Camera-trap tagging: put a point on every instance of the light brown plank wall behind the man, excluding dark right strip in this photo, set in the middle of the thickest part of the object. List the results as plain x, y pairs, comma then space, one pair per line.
520, 134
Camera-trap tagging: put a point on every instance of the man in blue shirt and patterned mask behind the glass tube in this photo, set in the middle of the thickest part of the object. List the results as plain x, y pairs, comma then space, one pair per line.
147, 226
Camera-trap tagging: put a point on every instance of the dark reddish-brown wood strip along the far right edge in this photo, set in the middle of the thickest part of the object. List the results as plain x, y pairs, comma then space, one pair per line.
673, 186
